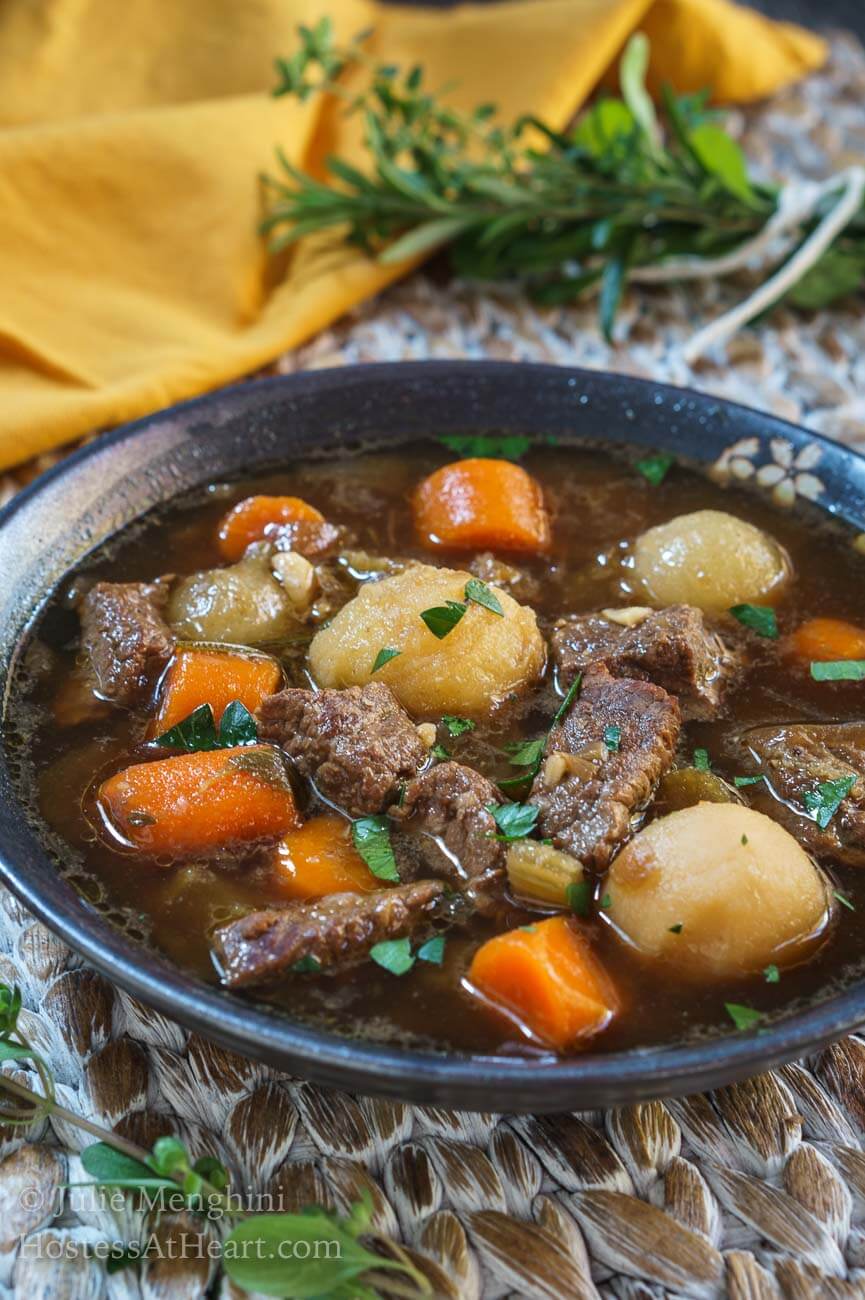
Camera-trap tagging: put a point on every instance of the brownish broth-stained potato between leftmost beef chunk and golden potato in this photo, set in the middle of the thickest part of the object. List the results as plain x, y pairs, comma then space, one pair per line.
243, 605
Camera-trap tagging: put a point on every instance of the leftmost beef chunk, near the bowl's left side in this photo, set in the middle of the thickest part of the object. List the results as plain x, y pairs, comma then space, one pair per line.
127, 639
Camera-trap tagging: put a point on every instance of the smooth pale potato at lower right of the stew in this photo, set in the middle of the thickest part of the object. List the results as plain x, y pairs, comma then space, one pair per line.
743, 891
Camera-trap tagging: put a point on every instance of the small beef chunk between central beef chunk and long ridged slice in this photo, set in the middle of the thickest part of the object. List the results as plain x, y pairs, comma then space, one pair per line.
451, 801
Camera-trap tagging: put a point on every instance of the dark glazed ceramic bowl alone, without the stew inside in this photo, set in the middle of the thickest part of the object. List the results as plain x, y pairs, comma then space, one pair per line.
54, 525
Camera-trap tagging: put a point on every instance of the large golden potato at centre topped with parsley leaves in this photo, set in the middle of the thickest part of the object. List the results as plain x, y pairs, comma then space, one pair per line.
477, 665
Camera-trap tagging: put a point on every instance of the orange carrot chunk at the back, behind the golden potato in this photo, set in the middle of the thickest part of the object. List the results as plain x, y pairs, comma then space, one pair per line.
482, 504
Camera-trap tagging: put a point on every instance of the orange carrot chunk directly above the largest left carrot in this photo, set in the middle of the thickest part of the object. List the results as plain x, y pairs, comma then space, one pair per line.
200, 675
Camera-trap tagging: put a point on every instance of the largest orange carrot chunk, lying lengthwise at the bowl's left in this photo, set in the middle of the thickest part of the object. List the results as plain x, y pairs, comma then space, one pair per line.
197, 803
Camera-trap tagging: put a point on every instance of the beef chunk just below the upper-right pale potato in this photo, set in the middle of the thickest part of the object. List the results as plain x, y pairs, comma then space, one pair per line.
673, 648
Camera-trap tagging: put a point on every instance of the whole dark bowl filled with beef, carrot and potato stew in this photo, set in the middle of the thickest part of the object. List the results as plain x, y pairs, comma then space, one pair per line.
473, 734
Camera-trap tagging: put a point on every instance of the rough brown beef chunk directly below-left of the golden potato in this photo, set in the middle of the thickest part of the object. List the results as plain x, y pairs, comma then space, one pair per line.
357, 746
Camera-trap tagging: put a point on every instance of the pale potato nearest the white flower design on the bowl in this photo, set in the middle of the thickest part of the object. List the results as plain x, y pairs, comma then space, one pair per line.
710, 560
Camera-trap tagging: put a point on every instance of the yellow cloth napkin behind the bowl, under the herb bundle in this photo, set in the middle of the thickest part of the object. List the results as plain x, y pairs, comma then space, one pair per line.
131, 141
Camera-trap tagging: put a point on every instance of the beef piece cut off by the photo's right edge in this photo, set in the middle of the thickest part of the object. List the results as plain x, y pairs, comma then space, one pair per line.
797, 760
